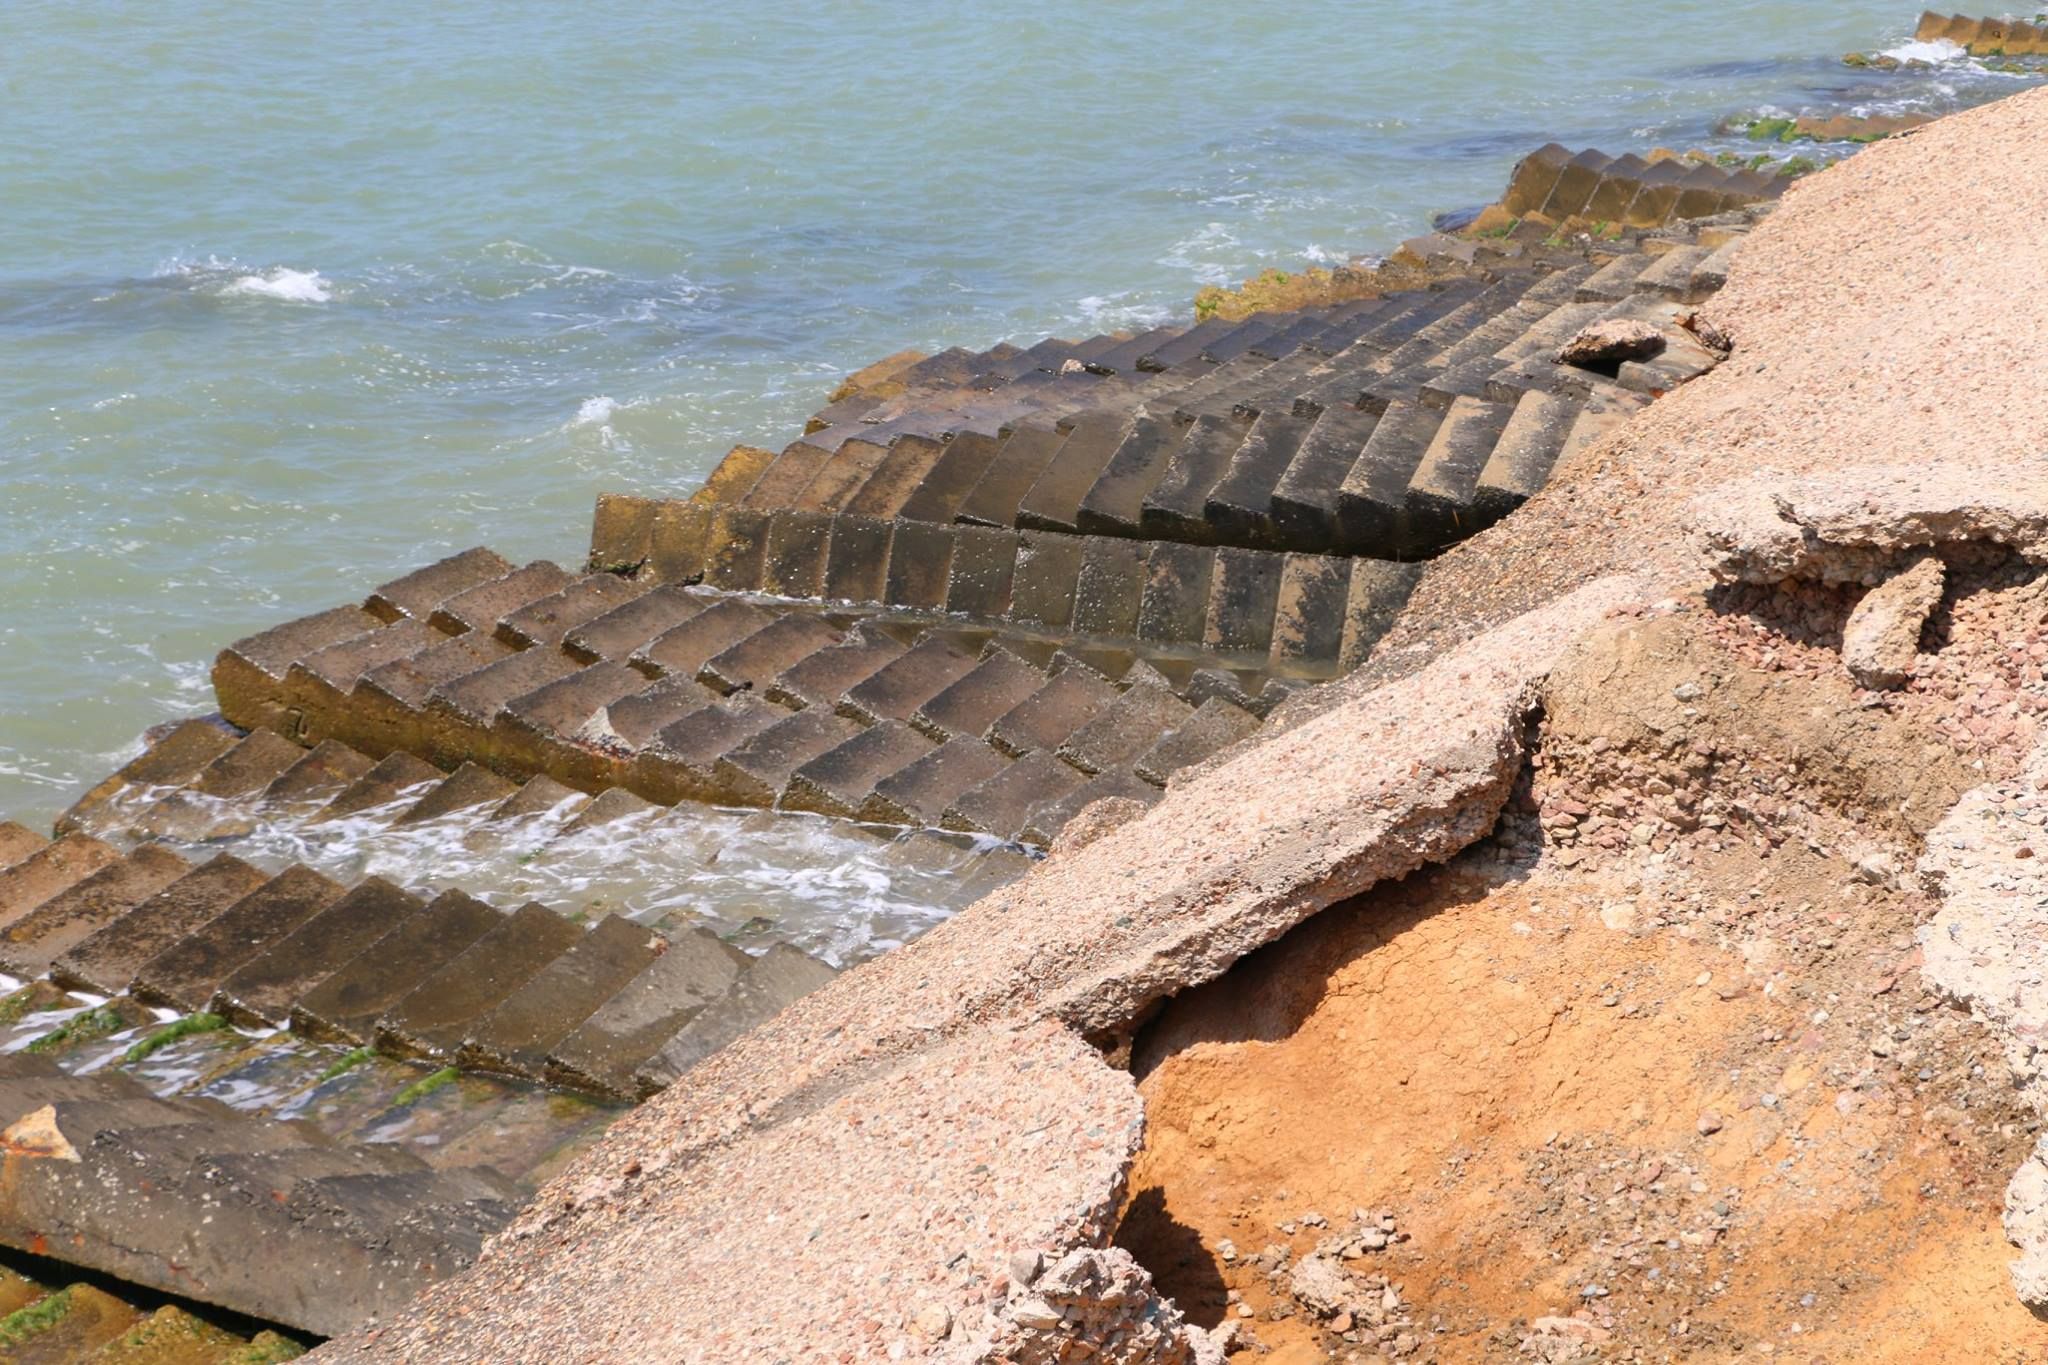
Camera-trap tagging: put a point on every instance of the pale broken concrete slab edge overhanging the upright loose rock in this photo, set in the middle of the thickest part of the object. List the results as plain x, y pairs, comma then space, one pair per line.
1859, 525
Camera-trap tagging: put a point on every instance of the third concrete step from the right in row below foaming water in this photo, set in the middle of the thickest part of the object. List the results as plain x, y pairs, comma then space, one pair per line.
521, 1032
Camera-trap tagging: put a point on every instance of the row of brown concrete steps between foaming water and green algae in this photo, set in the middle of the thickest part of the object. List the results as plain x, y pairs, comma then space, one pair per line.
609, 1006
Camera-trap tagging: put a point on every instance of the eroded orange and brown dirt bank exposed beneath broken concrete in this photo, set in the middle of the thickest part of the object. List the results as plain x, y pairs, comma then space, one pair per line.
1652, 1073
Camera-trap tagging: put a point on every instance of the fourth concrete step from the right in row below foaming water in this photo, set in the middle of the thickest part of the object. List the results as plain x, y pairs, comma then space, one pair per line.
433, 1018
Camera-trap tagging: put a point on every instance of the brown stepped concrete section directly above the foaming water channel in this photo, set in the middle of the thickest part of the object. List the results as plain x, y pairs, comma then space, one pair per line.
642, 689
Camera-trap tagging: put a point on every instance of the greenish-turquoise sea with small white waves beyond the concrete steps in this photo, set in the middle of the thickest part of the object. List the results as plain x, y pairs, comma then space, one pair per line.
296, 298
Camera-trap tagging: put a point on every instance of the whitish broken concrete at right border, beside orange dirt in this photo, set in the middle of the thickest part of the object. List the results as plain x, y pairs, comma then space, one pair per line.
1988, 949
